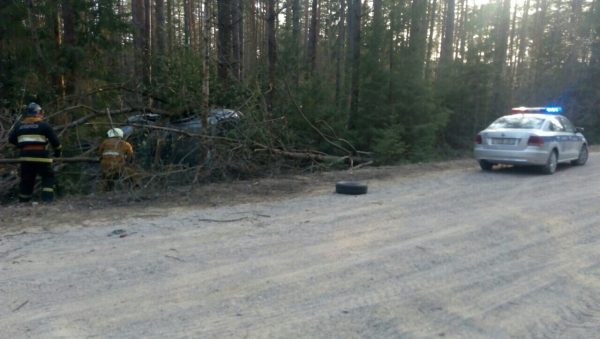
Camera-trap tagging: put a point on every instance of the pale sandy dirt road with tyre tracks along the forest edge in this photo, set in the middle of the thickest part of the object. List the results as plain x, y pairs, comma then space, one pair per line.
454, 253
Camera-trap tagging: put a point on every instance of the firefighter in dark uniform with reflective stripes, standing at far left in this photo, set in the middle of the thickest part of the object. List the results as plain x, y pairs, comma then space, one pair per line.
32, 136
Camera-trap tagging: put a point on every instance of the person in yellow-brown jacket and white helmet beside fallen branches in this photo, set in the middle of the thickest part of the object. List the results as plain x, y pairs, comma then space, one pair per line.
116, 155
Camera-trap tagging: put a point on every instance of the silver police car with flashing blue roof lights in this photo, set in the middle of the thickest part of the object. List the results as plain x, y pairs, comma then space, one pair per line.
538, 136
